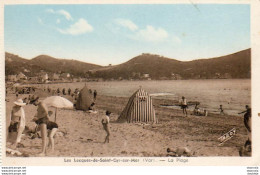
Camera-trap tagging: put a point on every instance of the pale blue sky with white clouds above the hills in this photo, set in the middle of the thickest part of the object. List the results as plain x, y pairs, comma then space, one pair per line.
112, 34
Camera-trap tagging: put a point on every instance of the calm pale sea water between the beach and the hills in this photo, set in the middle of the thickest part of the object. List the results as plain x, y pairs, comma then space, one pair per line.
232, 94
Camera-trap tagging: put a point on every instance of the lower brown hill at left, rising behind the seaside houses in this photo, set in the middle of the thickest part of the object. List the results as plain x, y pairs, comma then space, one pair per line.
15, 64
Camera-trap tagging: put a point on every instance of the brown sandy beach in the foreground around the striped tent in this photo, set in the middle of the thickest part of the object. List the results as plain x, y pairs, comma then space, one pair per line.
81, 133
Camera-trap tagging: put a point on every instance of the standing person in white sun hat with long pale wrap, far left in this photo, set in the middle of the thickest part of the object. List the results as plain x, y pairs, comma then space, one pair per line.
17, 124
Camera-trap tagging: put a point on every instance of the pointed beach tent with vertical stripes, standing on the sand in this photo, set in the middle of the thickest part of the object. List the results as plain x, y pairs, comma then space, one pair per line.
139, 108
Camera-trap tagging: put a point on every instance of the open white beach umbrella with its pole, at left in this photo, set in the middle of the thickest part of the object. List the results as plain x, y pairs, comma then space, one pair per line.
58, 102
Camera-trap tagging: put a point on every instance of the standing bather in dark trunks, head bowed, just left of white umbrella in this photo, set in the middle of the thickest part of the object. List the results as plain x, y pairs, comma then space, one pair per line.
42, 119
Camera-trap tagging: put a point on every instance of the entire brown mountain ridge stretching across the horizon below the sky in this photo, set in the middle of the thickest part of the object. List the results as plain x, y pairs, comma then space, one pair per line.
235, 65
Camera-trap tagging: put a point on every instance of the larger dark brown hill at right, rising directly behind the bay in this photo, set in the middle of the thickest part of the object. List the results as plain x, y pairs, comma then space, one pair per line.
237, 65
